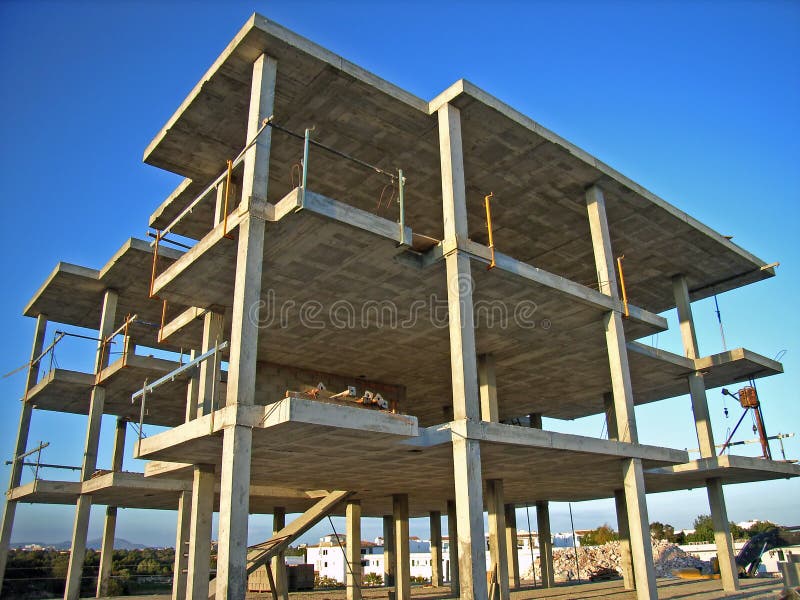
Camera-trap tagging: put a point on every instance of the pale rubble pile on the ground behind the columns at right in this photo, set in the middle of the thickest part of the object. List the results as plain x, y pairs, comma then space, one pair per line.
666, 556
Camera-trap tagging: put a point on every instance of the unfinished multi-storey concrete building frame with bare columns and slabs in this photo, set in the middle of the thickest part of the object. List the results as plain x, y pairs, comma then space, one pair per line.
333, 266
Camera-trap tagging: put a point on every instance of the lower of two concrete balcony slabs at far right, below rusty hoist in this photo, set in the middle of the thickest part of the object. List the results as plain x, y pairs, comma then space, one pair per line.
729, 468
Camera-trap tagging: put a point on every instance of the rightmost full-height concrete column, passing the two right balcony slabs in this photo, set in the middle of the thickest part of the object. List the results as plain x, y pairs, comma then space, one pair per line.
705, 437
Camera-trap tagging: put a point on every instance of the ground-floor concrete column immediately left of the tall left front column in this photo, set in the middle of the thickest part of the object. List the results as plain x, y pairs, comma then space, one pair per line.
199, 561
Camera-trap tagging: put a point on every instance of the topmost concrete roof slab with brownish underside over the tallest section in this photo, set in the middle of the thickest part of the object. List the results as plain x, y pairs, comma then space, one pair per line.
537, 177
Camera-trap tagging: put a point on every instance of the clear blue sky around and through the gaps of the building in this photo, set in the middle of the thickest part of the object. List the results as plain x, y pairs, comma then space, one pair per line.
698, 102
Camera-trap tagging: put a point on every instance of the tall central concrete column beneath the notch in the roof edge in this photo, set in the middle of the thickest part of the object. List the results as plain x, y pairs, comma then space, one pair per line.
466, 404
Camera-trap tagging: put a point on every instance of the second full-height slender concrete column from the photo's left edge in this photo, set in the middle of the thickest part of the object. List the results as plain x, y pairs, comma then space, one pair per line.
96, 403
